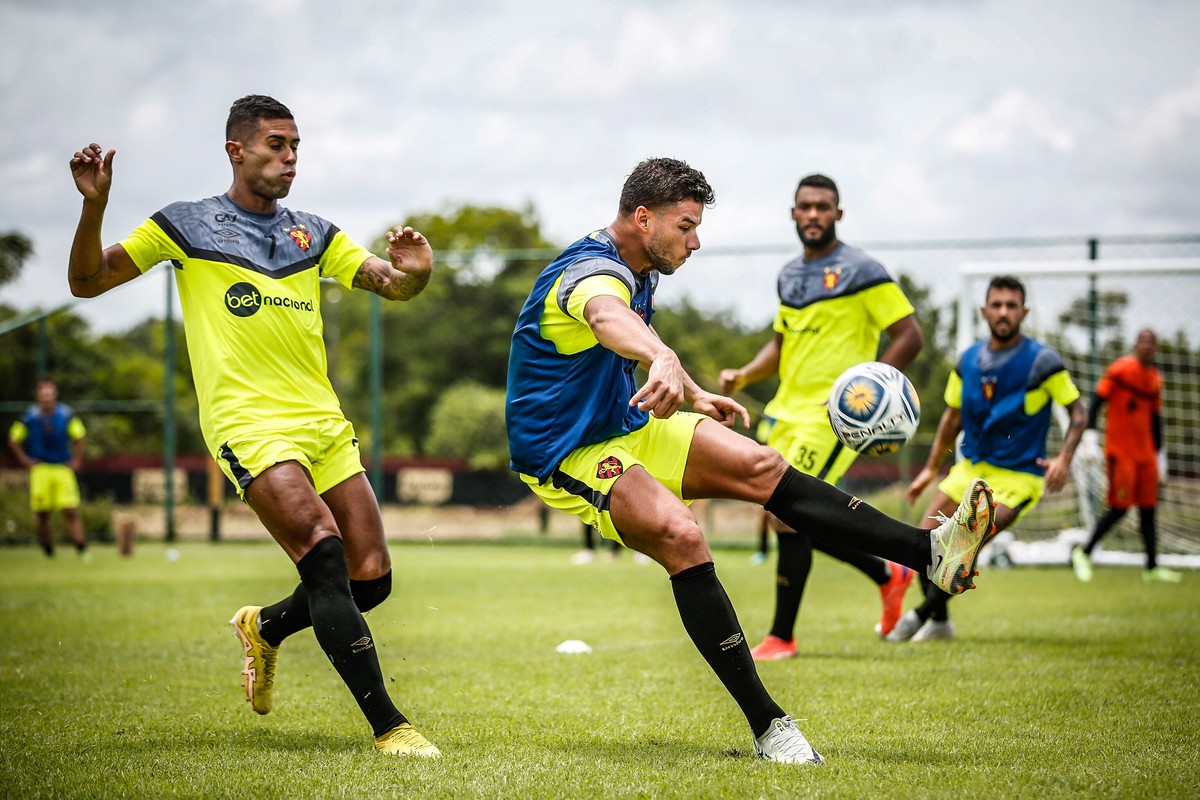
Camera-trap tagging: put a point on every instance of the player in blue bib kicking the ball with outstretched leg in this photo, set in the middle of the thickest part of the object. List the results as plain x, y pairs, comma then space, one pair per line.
625, 459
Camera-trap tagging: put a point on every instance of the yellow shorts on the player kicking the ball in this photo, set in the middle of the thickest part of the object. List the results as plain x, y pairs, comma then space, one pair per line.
583, 483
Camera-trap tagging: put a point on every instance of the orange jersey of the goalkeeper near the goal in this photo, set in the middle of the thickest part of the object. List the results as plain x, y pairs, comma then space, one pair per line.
1135, 394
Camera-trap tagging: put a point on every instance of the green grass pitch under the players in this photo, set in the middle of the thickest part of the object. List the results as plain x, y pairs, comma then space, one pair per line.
119, 678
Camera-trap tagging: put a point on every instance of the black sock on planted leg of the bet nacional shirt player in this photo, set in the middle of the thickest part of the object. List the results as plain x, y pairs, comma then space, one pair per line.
344, 635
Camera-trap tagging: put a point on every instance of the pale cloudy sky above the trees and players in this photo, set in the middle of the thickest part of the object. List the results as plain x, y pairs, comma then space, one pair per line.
938, 119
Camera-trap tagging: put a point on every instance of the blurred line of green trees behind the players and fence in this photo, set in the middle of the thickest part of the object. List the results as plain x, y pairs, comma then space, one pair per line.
445, 356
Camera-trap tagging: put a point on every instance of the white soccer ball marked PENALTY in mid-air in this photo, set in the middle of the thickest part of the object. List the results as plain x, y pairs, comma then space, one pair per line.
874, 410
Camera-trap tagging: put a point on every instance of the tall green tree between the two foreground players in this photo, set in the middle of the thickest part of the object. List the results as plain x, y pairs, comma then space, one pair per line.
458, 330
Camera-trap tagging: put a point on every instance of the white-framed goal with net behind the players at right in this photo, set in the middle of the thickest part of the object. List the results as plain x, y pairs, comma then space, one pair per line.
1090, 311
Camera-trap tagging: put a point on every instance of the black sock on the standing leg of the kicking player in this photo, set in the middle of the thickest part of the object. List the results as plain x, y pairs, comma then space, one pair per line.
710, 619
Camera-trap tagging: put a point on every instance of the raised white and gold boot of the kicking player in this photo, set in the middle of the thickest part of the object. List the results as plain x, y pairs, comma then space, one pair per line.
956, 544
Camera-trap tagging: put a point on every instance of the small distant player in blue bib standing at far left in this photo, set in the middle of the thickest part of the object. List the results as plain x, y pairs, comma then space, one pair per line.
49, 442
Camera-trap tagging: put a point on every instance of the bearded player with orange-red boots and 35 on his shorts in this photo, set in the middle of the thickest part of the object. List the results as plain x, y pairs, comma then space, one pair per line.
835, 303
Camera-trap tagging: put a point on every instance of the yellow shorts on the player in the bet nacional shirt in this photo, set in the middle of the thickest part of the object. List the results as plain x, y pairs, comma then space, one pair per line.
327, 449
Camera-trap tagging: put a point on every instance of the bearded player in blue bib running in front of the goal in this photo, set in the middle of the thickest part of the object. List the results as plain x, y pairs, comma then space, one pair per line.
1000, 398
